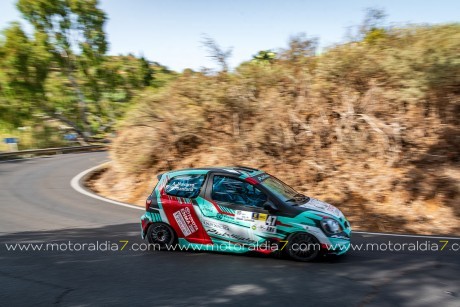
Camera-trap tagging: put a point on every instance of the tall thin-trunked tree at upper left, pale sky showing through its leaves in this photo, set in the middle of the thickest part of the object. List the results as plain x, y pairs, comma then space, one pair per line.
73, 31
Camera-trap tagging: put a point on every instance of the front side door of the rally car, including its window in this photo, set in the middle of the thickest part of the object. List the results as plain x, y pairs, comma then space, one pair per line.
239, 215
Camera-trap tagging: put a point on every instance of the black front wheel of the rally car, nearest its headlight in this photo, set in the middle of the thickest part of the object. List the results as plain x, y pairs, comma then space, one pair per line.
303, 247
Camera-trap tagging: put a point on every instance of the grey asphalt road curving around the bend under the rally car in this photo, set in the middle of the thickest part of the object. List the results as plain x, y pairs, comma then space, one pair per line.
38, 205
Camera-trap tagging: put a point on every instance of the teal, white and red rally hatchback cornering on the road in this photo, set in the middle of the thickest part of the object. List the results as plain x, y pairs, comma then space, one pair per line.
240, 209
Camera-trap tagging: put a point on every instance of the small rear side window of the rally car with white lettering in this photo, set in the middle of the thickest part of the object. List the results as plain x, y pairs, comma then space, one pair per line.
187, 186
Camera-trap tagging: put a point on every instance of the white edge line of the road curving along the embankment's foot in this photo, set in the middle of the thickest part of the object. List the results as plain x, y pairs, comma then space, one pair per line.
76, 186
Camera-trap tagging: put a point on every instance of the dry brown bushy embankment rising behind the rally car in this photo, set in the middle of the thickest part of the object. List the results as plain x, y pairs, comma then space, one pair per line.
371, 127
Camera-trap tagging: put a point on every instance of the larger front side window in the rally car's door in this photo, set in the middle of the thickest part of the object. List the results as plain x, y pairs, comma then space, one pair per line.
230, 190
